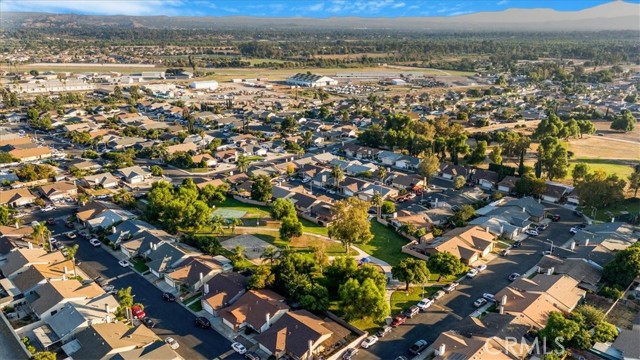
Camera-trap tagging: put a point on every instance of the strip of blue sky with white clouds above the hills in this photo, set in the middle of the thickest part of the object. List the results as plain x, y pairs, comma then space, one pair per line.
283, 8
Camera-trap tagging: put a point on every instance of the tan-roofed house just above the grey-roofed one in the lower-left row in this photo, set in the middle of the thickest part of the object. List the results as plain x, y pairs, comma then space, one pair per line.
51, 297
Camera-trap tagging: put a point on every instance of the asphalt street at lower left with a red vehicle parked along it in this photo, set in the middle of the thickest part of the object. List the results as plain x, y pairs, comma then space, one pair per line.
171, 318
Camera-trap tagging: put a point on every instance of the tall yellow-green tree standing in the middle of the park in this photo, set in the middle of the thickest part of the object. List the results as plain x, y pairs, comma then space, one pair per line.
352, 224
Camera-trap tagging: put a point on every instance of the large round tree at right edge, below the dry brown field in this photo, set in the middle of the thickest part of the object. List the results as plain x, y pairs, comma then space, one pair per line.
600, 190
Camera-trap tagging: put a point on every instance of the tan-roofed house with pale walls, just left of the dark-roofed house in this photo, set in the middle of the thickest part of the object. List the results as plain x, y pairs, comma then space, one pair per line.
194, 271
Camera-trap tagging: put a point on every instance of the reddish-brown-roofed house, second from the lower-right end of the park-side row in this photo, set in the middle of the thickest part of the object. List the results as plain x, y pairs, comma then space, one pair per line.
257, 309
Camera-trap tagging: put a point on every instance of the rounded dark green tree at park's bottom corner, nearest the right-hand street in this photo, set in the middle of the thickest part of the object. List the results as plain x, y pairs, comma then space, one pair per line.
364, 300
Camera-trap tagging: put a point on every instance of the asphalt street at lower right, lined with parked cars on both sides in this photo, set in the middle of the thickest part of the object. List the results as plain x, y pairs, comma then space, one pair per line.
441, 316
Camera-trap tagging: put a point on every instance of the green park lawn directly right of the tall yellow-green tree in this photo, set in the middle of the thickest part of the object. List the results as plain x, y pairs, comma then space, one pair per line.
386, 244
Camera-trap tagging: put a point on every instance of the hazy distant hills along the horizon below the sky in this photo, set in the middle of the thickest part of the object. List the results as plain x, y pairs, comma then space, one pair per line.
616, 15
